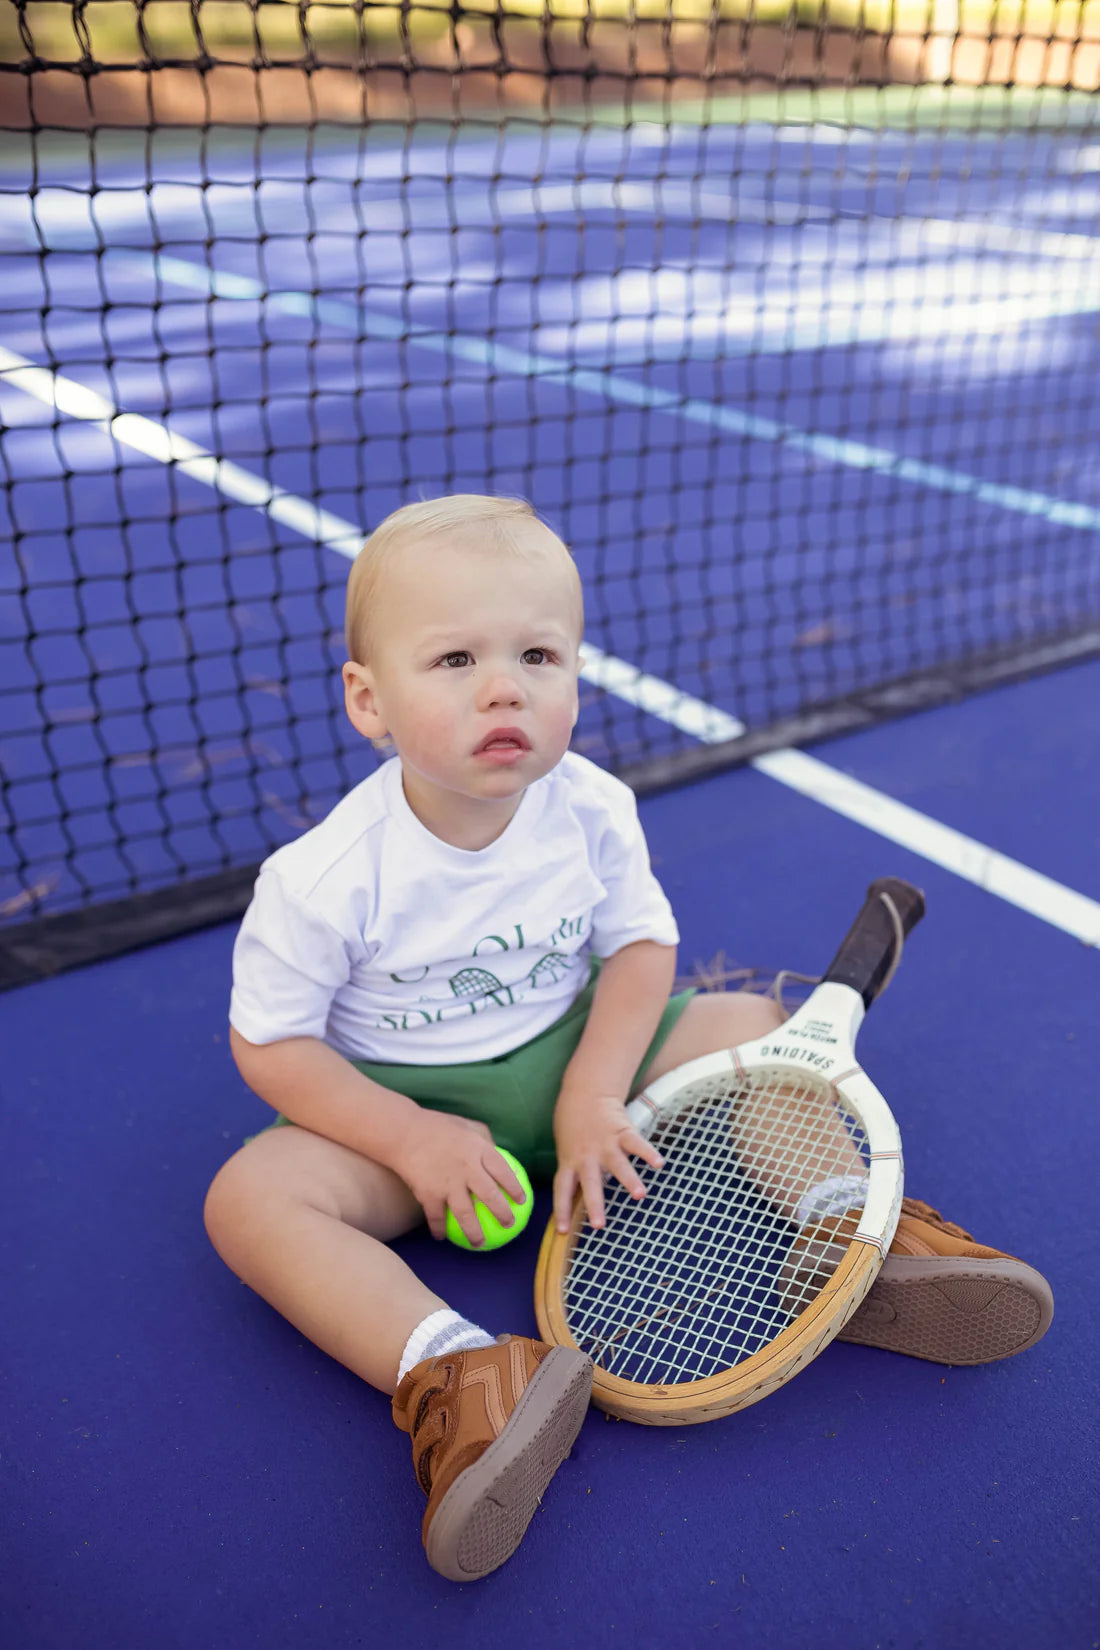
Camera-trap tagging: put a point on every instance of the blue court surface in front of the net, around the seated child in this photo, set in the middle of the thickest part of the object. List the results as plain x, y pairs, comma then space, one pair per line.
189, 1471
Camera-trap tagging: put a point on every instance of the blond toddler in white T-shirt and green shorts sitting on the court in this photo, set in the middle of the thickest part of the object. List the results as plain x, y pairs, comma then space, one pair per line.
471, 951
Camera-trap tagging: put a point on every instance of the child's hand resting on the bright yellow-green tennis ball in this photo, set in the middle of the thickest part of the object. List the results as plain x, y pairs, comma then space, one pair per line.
448, 1162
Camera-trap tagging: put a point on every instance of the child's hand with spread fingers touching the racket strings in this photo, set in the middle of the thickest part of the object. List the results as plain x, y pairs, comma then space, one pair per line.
595, 1136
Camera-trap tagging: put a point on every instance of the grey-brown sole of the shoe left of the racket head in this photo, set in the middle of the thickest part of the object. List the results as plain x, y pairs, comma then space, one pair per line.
484, 1517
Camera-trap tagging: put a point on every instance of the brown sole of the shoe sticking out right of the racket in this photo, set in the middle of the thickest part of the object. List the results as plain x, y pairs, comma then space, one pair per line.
954, 1311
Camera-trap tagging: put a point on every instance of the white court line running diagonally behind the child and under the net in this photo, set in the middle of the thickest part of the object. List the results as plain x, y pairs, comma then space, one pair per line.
972, 860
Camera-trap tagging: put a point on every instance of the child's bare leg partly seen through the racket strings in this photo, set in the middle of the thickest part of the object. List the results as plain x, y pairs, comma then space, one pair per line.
723, 1021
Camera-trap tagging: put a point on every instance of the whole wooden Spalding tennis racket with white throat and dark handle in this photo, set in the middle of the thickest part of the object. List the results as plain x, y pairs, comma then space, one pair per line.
769, 1222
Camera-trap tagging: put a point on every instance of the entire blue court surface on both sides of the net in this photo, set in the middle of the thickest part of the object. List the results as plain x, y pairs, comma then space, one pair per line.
867, 361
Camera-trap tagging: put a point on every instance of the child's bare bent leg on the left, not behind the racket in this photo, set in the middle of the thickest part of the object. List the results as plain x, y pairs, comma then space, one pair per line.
306, 1223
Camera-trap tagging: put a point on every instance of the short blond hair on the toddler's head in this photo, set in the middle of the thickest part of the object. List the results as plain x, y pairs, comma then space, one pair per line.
502, 524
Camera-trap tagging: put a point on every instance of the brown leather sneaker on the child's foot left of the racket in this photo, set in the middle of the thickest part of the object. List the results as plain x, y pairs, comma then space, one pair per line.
489, 1431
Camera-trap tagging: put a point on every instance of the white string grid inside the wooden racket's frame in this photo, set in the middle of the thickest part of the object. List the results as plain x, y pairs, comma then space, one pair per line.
707, 1270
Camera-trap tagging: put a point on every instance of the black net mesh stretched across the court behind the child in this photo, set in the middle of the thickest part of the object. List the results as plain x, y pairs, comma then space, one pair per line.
784, 318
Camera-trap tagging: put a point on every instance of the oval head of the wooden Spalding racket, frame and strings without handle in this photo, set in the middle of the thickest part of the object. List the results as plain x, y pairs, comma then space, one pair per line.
680, 1299
